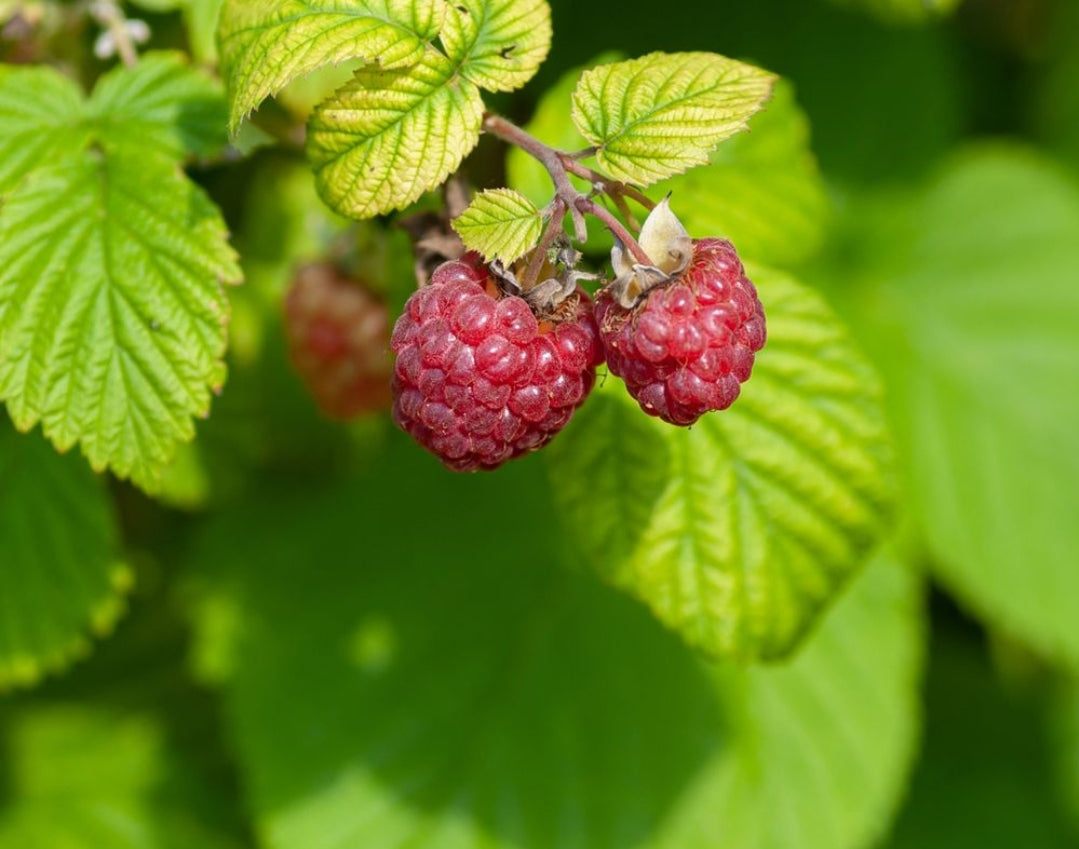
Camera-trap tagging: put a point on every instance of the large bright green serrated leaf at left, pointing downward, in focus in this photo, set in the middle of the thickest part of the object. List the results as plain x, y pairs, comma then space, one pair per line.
113, 318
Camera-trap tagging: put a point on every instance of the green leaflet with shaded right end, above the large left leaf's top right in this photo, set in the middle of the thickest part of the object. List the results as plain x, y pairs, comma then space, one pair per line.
162, 103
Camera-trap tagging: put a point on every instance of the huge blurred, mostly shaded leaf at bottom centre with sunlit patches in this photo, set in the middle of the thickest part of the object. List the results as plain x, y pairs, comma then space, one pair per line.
461, 690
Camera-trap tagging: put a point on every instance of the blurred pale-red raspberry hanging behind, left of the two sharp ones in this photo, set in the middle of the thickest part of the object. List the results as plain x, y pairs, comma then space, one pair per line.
338, 336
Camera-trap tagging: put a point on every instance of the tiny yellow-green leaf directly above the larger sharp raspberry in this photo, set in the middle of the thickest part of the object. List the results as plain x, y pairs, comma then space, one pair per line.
500, 224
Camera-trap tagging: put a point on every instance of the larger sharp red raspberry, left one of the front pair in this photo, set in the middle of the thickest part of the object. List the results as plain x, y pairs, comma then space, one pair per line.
480, 380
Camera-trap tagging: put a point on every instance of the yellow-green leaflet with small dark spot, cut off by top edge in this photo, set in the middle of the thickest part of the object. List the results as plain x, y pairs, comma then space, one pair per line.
500, 45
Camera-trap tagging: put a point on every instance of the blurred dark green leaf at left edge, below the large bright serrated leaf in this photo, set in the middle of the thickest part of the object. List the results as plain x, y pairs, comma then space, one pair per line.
62, 579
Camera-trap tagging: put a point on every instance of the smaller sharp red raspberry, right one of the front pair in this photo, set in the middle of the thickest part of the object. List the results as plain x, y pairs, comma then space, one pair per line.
688, 346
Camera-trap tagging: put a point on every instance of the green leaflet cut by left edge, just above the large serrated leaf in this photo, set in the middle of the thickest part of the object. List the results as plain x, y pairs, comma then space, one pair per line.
39, 129
